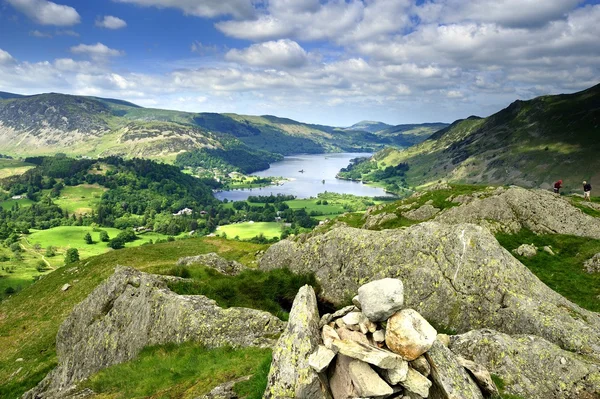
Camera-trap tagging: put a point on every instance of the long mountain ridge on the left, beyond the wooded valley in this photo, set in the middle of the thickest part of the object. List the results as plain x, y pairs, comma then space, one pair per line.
90, 126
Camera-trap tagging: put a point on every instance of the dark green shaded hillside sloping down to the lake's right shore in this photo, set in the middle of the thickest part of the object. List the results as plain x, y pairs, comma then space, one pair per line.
530, 143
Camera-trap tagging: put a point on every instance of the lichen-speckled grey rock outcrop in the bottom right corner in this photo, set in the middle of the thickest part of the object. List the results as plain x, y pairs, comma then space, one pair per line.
530, 366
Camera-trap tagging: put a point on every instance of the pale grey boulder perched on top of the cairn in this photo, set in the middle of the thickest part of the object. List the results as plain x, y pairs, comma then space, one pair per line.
381, 298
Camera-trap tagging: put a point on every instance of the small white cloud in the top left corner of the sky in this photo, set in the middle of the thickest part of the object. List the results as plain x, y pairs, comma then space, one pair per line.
46, 12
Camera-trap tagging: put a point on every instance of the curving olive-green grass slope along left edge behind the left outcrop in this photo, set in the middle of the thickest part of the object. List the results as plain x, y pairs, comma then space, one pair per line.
30, 319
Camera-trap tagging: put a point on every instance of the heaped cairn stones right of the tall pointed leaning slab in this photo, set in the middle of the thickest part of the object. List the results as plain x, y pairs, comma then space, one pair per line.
379, 349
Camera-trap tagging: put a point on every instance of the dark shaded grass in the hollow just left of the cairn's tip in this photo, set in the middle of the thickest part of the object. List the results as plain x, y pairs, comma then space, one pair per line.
272, 291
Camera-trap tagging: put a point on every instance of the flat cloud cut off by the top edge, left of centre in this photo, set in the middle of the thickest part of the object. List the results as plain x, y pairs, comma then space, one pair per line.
202, 8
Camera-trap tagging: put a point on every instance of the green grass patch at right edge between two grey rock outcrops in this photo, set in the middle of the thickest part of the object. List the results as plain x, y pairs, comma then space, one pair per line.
564, 272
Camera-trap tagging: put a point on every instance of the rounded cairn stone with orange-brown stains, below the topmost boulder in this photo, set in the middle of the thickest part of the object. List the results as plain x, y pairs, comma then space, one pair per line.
409, 334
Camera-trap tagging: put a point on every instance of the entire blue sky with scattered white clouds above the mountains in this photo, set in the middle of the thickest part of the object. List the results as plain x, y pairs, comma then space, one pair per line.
333, 62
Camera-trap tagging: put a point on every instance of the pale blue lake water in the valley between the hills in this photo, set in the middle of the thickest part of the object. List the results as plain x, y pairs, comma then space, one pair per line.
316, 168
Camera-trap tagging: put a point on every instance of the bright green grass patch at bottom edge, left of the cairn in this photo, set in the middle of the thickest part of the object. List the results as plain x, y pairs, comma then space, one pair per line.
179, 371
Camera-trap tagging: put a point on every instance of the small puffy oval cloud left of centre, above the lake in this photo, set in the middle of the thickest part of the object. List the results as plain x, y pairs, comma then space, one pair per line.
275, 54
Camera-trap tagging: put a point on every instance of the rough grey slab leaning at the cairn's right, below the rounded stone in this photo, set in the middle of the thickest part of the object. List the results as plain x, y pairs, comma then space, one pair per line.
450, 379
